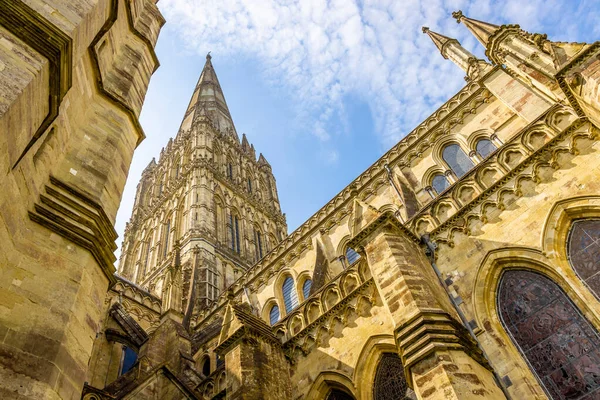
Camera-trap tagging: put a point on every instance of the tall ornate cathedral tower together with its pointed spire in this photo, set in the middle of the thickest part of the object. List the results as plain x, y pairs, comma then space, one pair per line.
208, 208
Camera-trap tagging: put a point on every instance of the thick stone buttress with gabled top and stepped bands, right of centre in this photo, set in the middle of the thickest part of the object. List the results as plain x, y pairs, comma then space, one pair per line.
441, 360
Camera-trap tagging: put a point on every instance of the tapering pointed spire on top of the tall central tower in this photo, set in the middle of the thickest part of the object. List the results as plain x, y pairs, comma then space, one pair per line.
209, 102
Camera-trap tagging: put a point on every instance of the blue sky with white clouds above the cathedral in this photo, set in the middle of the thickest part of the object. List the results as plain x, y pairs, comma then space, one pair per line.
323, 87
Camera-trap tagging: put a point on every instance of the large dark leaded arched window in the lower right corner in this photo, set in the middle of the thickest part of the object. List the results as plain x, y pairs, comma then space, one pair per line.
560, 345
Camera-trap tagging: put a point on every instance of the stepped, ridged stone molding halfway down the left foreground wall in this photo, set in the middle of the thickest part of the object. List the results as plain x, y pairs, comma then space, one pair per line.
75, 216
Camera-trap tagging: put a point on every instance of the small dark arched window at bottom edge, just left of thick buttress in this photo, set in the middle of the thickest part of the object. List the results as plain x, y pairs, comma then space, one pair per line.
390, 383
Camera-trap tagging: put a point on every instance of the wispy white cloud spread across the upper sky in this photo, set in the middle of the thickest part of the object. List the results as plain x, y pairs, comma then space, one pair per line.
323, 50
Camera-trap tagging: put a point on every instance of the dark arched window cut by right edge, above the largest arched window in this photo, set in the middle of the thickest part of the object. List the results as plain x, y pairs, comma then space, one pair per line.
584, 252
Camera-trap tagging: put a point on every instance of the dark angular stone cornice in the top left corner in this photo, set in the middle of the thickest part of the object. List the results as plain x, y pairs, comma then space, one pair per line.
48, 40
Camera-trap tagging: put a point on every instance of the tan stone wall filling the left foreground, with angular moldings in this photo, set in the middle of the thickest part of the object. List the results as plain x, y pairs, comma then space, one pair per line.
73, 76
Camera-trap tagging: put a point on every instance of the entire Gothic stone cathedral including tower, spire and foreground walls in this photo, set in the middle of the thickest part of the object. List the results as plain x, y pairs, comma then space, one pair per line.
461, 265
